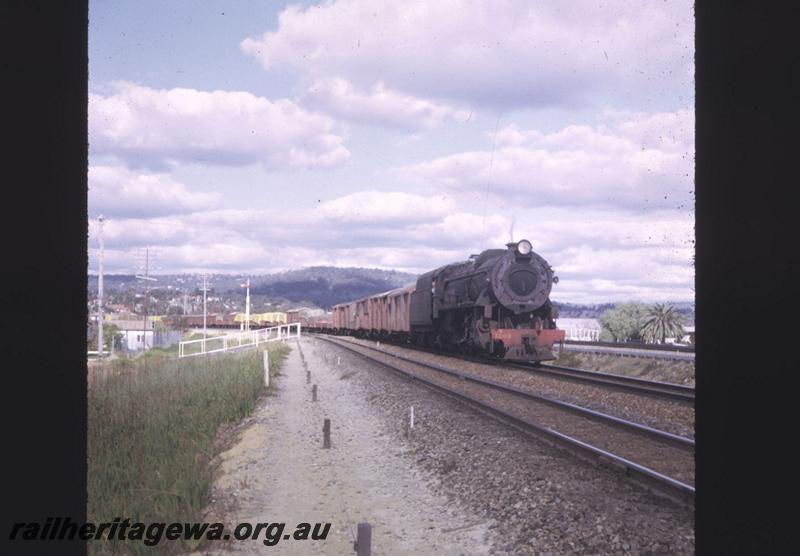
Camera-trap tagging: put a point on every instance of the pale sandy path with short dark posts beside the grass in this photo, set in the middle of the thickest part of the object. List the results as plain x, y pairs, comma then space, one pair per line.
277, 471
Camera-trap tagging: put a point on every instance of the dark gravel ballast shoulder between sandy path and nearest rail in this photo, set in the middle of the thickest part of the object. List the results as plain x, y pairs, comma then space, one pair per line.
536, 498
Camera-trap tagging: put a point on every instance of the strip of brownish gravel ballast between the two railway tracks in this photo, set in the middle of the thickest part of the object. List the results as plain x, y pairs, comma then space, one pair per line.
669, 416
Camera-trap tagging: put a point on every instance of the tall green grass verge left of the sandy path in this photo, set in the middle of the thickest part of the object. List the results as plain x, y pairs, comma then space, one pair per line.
151, 428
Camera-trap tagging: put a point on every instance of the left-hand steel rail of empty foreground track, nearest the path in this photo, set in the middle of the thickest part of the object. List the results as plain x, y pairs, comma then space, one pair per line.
669, 486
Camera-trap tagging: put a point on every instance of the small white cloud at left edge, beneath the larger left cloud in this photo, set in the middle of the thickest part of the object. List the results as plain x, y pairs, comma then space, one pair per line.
118, 192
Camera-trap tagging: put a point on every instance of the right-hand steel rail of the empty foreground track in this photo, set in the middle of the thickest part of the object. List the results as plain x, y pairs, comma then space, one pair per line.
629, 426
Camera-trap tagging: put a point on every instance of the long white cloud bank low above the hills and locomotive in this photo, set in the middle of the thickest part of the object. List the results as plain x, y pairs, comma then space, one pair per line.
598, 254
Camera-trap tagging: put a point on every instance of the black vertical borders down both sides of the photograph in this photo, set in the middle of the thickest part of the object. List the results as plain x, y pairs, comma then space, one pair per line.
748, 265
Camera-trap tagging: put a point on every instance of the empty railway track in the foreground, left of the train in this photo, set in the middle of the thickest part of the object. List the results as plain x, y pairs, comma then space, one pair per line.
662, 461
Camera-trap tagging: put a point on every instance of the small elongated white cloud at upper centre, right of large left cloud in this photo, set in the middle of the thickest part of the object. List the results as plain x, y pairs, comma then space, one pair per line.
379, 106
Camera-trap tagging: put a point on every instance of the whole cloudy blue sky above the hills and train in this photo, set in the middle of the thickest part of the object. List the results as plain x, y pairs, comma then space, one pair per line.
250, 137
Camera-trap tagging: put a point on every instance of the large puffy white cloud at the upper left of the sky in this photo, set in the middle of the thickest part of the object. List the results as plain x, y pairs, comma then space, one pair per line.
154, 127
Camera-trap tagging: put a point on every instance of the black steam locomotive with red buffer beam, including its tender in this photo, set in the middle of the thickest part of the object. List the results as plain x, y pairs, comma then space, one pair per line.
497, 302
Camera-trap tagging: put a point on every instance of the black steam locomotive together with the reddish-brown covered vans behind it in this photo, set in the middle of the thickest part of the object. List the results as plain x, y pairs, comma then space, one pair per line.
496, 303
